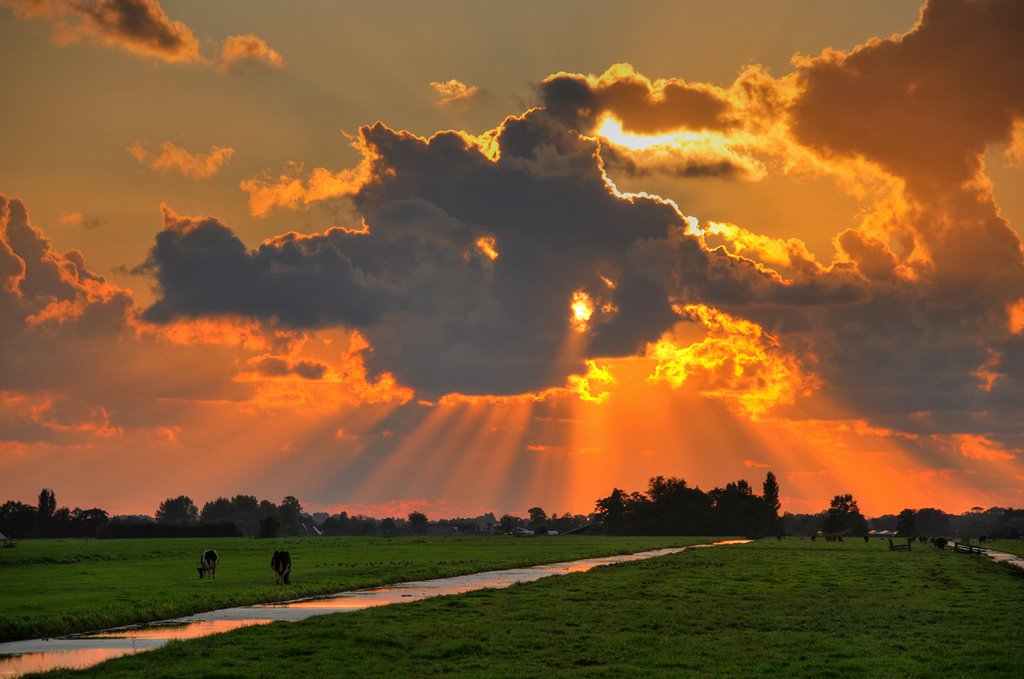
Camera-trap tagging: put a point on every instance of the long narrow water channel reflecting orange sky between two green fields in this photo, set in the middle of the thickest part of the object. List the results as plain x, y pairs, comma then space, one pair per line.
81, 651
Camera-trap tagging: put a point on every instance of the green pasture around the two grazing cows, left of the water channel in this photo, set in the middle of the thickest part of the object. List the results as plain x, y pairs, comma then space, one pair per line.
53, 587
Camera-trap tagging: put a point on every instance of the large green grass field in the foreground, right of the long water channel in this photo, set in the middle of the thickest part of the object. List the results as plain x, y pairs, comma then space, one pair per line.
771, 609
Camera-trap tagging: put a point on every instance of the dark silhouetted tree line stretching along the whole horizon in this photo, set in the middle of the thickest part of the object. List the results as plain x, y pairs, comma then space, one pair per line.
669, 506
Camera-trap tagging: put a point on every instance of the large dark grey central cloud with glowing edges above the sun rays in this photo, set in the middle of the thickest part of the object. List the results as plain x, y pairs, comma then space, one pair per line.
440, 313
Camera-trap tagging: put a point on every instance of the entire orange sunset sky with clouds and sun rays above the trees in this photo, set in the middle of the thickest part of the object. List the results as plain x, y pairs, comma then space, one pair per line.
462, 257
